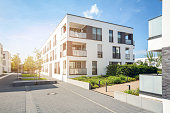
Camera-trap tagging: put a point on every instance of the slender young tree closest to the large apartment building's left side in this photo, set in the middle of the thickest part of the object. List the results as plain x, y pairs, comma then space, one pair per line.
38, 61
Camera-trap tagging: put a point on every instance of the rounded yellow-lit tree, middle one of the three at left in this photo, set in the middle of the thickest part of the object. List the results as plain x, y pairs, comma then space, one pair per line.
29, 64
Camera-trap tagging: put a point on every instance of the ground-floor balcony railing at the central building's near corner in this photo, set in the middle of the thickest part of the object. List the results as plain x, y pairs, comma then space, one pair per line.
80, 71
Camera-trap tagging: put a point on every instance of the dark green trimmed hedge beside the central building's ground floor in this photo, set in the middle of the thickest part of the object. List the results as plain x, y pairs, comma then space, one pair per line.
130, 70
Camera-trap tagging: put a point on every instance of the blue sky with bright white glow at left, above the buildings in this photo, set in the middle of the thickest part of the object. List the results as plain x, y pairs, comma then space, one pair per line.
27, 24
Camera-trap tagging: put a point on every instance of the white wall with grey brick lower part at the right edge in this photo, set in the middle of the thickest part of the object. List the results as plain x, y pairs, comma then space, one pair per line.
166, 49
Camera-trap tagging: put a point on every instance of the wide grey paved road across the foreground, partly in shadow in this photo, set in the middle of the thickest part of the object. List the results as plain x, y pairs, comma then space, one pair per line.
58, 98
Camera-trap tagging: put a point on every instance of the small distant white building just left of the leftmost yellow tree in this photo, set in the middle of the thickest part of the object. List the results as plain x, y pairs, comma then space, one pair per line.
6, 61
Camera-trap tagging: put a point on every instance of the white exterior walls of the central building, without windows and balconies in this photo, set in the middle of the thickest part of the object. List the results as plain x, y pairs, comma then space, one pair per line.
91, 47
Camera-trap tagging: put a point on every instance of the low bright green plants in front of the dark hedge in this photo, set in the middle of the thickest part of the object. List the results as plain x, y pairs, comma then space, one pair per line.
94, 81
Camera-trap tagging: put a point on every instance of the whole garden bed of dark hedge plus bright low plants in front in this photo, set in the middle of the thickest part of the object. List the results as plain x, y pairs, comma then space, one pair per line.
118, 74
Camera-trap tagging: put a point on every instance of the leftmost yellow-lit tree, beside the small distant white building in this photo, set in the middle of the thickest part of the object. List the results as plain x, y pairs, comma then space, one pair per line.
15, 62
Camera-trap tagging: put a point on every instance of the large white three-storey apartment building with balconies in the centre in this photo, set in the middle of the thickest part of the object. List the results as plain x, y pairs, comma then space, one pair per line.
83, 46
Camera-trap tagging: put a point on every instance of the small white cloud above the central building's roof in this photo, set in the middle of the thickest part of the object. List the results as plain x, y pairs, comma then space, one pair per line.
93, 11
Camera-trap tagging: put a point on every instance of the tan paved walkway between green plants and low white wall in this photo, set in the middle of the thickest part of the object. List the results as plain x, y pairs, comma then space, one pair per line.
117, 87
